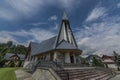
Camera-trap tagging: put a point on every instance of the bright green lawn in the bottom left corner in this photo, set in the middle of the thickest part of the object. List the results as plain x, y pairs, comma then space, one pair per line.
7, 74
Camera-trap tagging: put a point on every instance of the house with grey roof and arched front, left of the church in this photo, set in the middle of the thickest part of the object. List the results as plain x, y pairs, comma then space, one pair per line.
16, 59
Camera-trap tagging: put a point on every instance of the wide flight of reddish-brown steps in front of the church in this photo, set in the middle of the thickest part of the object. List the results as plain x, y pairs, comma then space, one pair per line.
86, 74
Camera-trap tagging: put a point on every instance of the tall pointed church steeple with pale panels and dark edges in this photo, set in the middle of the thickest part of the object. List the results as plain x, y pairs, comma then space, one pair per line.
65, 32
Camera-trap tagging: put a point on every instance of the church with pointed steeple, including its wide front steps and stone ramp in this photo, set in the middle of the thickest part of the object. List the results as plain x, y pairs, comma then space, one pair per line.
58, 58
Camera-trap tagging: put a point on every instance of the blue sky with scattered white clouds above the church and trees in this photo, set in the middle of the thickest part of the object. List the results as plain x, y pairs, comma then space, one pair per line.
95, 23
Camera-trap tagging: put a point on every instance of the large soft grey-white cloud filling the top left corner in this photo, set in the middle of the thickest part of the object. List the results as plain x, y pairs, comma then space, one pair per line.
15, 9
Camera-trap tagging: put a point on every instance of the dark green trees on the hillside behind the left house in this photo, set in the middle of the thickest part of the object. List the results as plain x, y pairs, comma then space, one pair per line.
9, 47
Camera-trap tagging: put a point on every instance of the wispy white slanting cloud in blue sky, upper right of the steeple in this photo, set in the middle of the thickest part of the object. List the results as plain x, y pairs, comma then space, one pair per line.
96, 13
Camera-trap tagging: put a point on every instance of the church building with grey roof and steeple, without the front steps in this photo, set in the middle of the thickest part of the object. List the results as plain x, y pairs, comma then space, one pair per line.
61, 48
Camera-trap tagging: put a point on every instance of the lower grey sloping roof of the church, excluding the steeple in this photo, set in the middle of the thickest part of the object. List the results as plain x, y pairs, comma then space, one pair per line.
48, 45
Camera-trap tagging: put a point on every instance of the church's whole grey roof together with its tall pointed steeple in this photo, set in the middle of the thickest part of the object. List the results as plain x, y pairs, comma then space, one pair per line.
64, 40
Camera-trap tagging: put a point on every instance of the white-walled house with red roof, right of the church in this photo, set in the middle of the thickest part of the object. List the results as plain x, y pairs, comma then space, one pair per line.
109, 61
